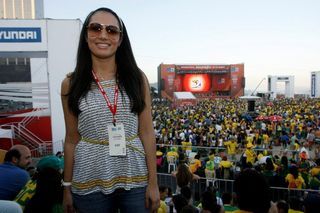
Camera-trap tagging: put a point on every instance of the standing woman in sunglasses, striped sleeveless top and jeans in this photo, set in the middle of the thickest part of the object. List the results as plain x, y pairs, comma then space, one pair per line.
110, 152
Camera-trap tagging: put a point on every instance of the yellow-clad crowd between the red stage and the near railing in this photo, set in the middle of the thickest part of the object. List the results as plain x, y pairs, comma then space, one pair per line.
218, 139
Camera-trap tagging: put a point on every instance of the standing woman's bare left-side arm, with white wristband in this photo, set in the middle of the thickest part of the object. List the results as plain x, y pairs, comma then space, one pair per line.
71, 140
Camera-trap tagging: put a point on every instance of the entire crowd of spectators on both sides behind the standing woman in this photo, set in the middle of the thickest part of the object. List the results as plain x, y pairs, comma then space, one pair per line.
213, 140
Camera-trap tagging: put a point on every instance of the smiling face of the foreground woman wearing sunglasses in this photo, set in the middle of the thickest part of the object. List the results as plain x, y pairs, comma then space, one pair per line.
103, 35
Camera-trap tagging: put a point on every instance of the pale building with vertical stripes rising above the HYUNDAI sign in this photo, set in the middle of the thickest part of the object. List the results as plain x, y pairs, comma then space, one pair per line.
21, 9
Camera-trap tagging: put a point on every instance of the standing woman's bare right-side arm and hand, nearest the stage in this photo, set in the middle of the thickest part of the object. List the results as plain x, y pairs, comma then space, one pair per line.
147, 136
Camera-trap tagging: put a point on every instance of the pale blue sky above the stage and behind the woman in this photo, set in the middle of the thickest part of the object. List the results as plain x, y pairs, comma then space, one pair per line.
271, 37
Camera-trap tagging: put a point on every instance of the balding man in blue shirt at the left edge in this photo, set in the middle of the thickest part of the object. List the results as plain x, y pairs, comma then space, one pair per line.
13, 175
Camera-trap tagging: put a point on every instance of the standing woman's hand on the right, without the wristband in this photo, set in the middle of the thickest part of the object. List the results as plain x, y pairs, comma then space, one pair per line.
152, 198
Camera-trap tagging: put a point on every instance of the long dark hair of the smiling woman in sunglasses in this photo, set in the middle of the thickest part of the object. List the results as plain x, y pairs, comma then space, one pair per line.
129, 77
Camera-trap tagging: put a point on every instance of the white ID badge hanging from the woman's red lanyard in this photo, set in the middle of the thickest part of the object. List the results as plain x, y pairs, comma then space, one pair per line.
117, 140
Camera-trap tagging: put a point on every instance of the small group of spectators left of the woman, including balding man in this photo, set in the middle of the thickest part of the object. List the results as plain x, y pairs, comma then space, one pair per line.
28, 188
